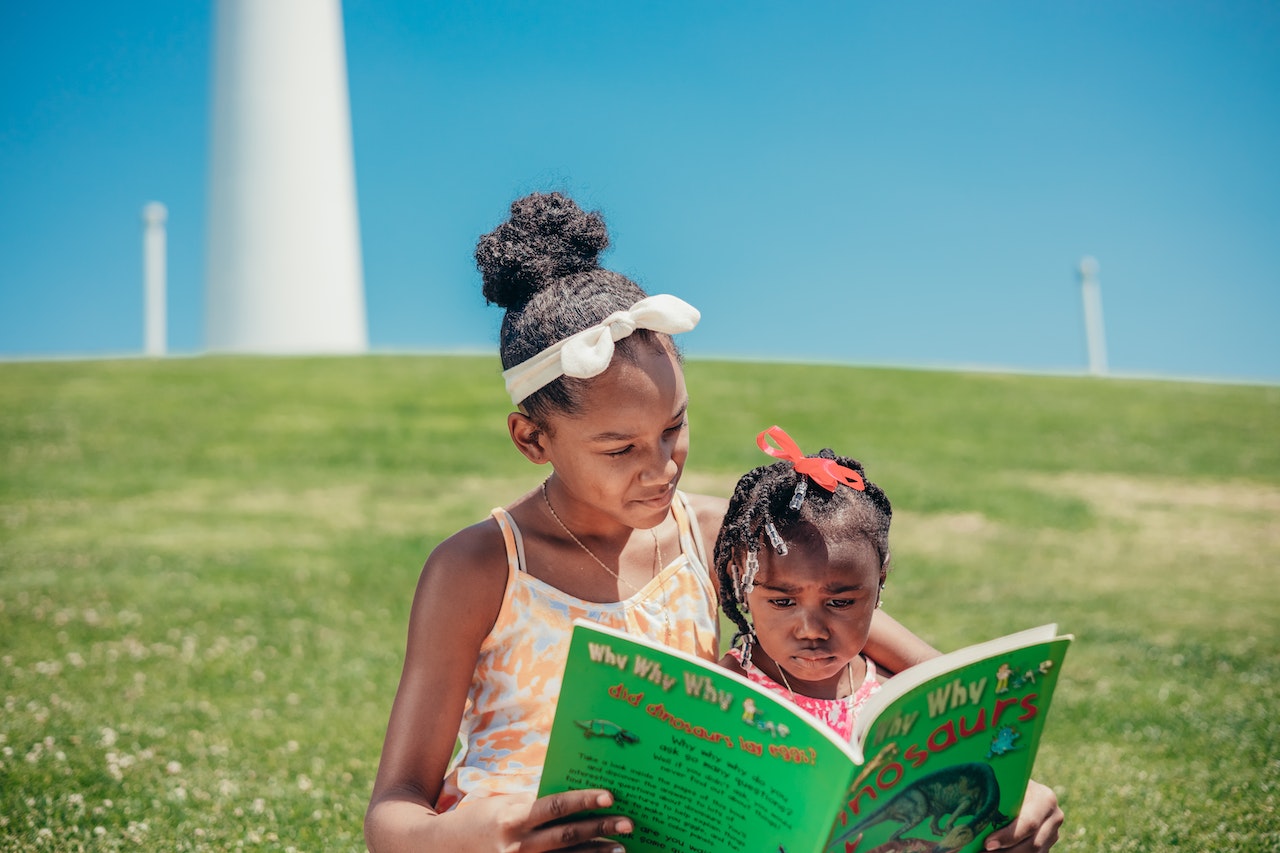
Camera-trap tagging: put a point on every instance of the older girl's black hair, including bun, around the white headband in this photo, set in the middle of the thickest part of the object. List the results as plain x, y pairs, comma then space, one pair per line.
542, 266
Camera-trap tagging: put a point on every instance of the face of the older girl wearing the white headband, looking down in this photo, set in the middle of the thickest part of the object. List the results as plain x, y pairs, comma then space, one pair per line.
620, 458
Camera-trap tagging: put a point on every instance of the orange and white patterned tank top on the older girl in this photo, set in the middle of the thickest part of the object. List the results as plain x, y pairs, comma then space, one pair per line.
516, 685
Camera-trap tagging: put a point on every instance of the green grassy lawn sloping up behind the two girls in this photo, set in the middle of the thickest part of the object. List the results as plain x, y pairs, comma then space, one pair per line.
207, 568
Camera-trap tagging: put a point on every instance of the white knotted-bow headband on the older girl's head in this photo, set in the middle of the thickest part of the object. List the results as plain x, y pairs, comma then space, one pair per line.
588, 353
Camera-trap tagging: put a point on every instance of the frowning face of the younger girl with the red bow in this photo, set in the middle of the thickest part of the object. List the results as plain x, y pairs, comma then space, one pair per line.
812, 609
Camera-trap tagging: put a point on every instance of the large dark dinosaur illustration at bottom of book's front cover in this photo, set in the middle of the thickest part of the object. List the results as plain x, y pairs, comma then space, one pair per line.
961, 791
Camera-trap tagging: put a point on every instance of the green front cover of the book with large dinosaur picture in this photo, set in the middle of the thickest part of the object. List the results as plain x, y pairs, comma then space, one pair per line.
948, 761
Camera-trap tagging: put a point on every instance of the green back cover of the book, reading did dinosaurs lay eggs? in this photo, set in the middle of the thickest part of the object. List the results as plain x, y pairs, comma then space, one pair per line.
702, 760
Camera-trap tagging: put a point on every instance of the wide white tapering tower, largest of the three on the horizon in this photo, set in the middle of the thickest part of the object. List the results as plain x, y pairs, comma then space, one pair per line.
285, 270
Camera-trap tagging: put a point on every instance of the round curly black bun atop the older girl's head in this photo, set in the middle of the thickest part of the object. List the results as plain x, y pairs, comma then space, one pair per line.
547, 238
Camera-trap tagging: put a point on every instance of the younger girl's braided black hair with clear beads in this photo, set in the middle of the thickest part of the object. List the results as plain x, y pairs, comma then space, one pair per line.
766, 496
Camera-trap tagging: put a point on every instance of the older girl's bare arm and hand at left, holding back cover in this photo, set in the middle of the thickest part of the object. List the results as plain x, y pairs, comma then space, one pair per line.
458, 601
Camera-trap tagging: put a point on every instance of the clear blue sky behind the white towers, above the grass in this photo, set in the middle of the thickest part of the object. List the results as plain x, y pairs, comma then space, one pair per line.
907, 184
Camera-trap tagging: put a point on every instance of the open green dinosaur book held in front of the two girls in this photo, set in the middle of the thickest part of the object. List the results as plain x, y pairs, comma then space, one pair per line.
705, 761
